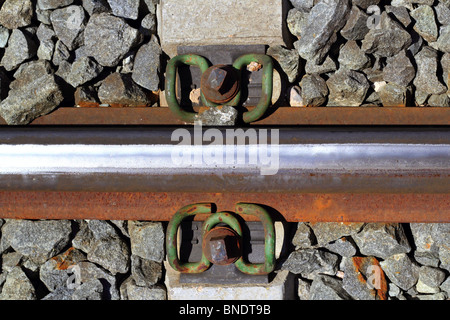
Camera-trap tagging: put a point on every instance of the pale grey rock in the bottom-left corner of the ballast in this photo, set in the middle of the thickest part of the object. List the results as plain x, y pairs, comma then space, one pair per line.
17, 286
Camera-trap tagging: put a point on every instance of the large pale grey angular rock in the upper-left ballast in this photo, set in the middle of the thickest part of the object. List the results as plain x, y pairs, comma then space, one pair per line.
106, 31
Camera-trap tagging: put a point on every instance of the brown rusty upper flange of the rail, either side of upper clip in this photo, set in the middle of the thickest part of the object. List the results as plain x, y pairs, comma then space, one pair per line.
366, 116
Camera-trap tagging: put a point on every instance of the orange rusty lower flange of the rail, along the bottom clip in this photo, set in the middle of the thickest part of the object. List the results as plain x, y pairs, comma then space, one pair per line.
162, 206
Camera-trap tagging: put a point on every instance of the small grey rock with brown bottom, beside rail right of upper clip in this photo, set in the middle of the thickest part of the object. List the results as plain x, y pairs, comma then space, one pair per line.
314, 90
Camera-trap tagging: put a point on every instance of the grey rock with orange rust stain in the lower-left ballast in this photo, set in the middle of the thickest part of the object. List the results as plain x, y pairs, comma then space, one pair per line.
55, 272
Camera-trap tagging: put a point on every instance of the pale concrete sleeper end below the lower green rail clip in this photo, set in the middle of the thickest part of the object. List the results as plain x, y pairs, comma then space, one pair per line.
277, 289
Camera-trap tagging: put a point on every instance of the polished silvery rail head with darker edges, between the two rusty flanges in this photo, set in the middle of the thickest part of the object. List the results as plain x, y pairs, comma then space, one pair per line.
309, 160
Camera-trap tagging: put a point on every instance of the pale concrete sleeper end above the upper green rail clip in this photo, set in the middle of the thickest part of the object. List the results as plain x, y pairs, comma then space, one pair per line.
210, 22
